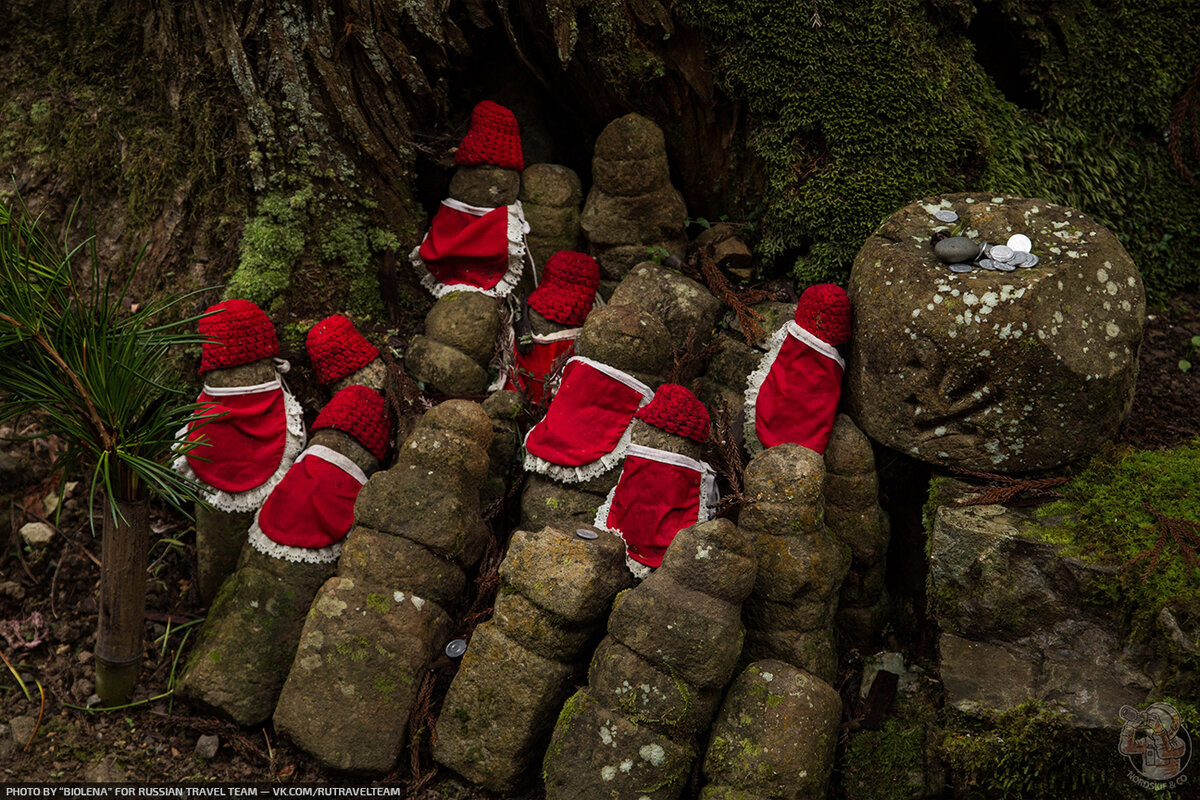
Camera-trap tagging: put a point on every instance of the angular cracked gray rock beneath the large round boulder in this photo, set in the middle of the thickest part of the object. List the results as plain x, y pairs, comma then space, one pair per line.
1005, 598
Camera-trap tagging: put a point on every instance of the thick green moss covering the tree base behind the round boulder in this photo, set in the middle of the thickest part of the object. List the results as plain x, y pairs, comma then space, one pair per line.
887, 103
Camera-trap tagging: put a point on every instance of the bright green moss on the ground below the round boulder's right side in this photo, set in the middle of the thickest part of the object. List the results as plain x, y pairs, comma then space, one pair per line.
1102, 520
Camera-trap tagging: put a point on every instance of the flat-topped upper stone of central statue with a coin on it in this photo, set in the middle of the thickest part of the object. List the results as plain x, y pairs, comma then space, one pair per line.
569, 576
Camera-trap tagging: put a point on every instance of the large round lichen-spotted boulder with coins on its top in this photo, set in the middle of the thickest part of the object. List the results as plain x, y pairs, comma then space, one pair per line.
997, 371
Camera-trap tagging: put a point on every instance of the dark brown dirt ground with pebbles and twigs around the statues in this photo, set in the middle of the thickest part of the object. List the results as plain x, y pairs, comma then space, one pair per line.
49, 621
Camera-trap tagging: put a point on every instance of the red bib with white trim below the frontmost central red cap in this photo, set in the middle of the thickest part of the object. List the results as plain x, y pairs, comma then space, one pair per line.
659, 495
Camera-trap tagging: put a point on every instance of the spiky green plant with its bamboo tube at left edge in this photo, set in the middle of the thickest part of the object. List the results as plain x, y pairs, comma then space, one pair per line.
99, 378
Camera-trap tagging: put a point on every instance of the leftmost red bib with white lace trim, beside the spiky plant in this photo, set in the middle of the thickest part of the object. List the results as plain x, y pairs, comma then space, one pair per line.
244, 447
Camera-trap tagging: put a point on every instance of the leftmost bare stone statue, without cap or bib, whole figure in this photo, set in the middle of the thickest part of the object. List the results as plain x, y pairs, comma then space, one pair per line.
375, 628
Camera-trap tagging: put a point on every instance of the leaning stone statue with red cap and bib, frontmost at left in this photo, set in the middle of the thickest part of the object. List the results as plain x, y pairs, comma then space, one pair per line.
253, 629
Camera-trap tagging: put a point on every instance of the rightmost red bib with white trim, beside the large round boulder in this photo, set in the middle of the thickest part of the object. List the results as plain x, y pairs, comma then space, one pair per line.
797, 399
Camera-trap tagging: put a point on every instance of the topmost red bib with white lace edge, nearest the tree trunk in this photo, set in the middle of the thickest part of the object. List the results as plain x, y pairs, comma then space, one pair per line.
472, 249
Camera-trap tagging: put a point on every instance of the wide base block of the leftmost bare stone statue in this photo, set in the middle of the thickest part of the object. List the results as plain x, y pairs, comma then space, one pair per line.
362, 658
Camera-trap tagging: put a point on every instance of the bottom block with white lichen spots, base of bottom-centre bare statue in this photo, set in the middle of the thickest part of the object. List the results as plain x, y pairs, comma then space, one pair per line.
599, 754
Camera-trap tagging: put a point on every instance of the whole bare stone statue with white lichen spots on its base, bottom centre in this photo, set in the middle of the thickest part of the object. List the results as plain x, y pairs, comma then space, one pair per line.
657, 679
